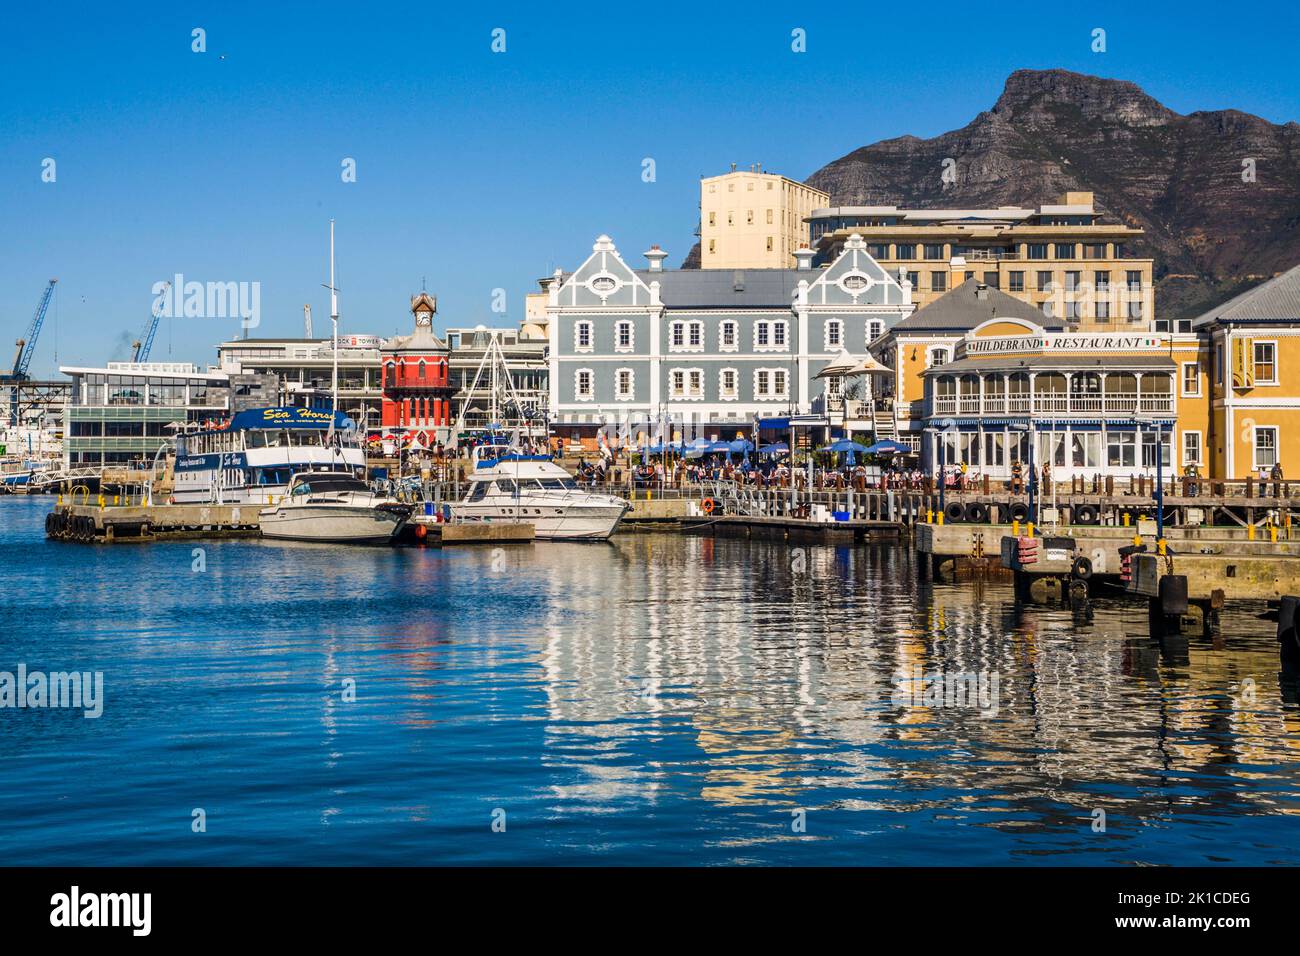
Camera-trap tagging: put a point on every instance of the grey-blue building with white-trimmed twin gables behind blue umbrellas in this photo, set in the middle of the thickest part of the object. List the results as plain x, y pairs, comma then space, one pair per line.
707, 349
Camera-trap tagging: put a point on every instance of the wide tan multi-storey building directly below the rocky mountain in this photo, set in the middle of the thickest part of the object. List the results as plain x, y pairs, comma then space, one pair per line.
1064, 258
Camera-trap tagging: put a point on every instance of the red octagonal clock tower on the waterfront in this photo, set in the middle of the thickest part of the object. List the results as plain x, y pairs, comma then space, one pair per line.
417, 383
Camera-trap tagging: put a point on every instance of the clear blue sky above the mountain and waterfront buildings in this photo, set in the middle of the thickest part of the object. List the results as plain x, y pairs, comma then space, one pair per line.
478, 170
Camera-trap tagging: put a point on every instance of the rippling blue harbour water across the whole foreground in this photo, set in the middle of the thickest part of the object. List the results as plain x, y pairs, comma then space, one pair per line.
657, 700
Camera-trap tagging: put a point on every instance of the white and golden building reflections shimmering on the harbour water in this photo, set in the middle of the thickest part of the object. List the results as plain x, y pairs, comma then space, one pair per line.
781, 664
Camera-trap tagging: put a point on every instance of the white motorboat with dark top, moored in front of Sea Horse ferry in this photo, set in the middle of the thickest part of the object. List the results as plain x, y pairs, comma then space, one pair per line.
333, 507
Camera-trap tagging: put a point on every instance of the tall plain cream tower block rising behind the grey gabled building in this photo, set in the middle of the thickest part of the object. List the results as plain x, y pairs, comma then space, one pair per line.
755, 220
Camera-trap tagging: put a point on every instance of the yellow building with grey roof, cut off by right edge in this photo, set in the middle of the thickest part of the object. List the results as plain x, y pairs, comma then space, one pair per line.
1253, 380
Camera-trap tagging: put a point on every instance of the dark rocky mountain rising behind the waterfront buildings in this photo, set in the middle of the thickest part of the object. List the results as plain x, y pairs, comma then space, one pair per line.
1178, 178
